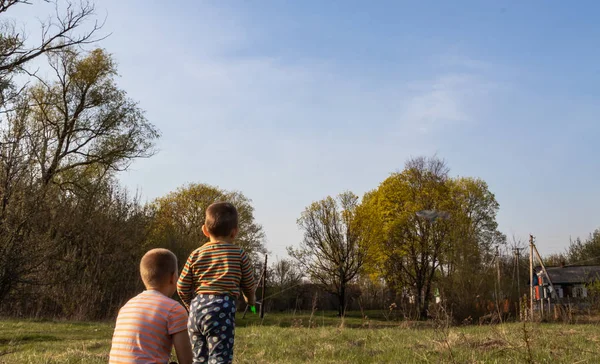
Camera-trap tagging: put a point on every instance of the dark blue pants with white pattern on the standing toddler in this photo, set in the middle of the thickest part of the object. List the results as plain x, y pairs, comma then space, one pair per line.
211, 327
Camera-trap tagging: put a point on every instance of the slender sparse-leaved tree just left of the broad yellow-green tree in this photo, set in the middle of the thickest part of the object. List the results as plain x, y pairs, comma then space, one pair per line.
331, 253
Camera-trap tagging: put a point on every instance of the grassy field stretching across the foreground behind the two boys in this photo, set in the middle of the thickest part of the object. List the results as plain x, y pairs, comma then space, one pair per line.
289, 339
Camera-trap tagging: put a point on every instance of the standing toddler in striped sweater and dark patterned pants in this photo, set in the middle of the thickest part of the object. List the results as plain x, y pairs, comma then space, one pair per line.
210, 284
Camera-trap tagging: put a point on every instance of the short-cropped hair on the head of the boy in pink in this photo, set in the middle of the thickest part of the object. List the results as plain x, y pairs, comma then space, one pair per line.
156, 266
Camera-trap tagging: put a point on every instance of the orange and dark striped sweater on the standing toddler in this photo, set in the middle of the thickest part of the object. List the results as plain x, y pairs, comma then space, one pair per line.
216, 268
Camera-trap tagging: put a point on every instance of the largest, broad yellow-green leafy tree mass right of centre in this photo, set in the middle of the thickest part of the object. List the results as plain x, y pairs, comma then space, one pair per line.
412, 252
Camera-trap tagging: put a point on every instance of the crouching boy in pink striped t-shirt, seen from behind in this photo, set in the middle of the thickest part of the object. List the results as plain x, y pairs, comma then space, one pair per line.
151, 323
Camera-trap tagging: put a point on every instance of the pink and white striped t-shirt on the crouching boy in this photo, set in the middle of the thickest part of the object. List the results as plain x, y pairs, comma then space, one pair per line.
144, 328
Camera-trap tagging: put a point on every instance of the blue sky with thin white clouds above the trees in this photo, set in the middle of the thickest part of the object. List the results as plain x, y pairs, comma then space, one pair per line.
291, 101
